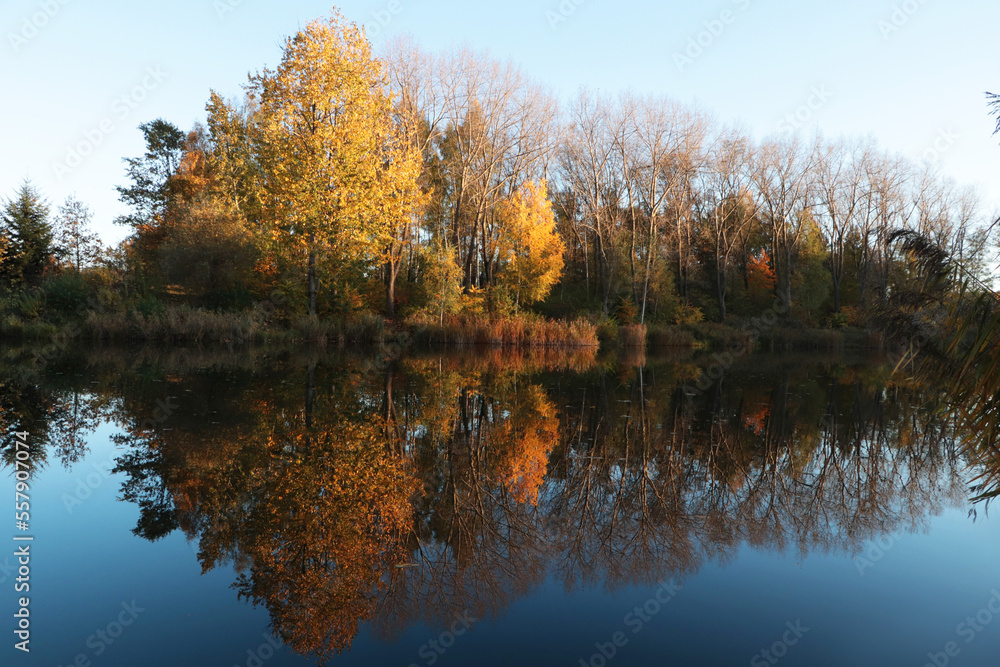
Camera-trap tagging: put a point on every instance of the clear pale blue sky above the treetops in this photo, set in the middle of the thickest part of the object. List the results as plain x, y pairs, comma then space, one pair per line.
81, 75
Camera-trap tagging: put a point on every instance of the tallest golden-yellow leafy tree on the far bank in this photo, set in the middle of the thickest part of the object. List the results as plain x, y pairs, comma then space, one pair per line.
338, 175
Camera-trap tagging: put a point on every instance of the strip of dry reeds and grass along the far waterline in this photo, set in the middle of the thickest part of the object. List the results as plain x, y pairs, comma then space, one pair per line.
183, 325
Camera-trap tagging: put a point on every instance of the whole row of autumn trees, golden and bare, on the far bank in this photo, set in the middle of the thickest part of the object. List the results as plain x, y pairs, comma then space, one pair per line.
435, 186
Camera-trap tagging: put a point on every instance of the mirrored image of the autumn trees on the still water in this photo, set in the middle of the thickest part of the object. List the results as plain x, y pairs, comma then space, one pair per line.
369, 490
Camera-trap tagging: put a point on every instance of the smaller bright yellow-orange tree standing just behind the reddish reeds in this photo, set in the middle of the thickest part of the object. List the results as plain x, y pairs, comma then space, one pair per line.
530, 248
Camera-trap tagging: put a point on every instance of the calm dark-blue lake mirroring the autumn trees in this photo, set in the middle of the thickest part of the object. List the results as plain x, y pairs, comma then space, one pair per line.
249, 508
